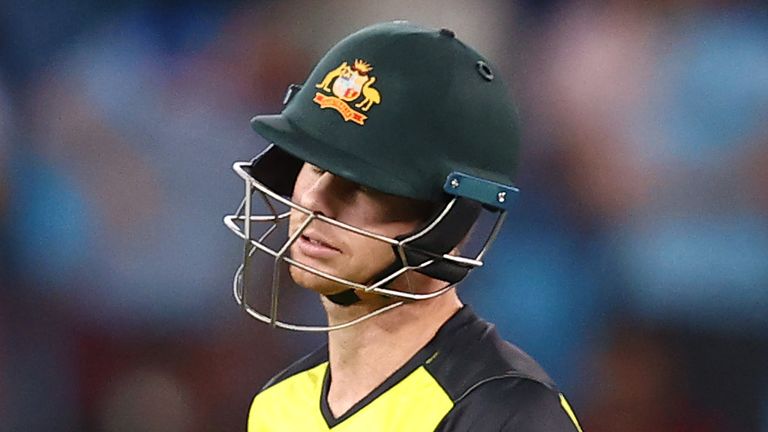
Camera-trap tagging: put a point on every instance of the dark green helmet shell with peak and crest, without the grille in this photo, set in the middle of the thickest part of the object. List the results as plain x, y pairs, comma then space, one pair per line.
402, 108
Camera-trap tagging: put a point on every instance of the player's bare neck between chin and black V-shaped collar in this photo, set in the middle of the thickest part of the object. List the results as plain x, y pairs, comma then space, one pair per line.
364, 355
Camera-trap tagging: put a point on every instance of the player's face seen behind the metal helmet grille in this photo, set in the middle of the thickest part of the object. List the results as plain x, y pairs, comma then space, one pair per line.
338, 251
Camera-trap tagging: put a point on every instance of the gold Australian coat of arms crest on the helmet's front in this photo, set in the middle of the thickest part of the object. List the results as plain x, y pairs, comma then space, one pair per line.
346, 85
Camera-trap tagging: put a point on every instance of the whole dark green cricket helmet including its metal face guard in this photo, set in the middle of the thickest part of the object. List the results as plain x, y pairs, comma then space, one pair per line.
405, 110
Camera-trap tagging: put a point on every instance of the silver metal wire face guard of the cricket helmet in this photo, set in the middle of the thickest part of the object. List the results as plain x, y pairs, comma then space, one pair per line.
244, 217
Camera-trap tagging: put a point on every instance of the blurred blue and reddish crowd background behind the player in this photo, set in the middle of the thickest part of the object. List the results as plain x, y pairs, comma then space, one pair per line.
635, 267
